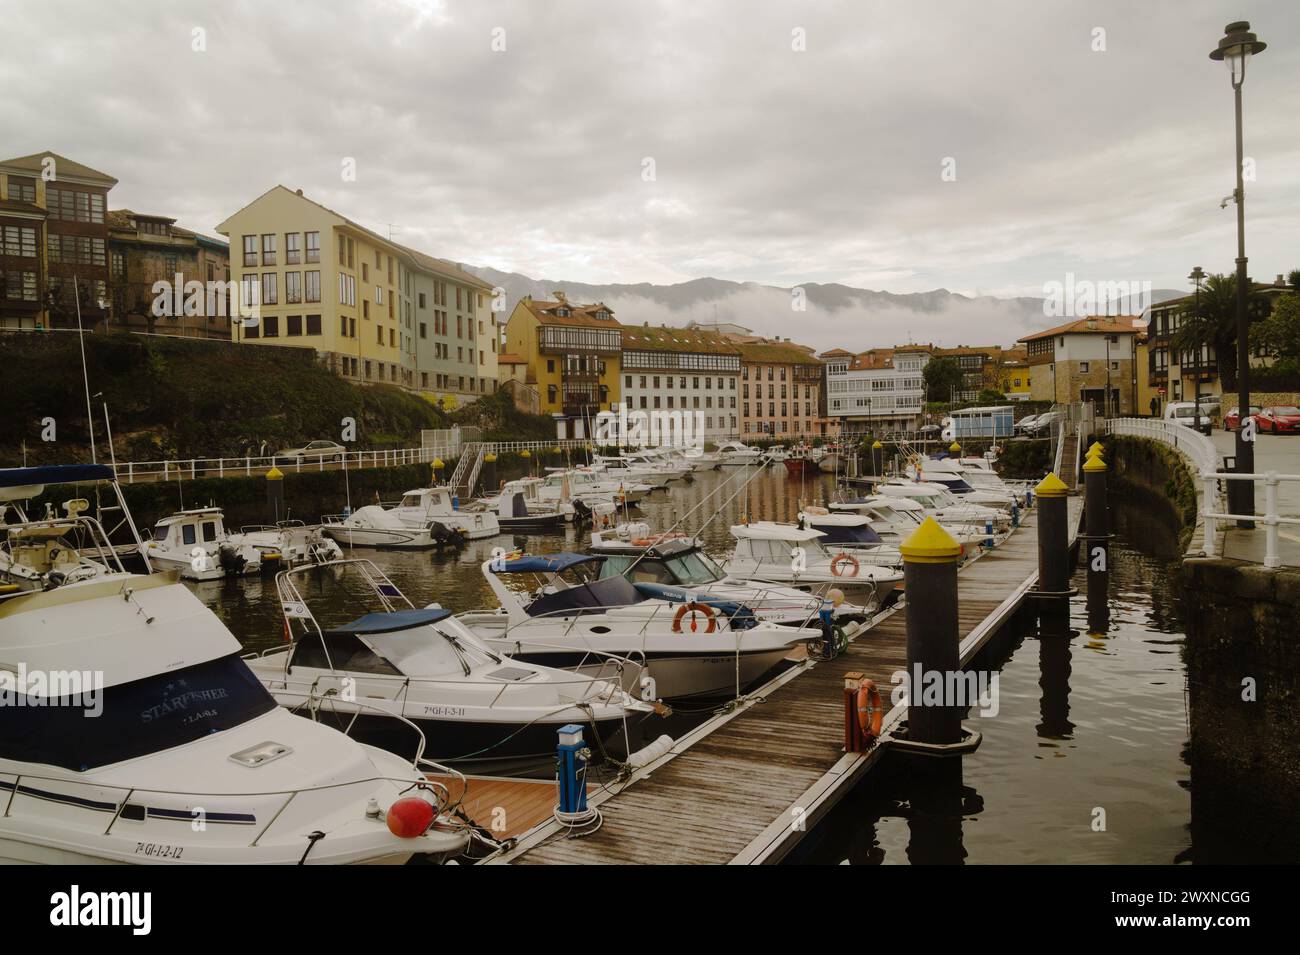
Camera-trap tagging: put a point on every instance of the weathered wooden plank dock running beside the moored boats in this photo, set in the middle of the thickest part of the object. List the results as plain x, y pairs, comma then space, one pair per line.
746, 787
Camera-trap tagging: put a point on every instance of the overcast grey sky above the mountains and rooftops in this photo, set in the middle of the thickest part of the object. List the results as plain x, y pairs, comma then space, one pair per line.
772, 164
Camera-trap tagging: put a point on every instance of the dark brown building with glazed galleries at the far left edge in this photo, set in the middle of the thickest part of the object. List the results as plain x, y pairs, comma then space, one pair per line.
54, 244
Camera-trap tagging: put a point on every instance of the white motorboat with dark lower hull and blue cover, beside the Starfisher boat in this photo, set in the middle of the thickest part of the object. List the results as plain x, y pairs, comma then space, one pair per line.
423, 667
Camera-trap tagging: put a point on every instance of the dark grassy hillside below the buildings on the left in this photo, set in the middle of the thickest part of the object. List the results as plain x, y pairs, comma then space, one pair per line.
179, 398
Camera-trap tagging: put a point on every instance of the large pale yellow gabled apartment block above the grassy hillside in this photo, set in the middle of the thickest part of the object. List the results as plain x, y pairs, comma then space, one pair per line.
372, 310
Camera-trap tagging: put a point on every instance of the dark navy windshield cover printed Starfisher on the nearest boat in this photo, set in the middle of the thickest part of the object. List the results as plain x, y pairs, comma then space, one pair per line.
131, 720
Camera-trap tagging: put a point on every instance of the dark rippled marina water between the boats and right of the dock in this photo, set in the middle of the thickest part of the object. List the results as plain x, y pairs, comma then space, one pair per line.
1086, 723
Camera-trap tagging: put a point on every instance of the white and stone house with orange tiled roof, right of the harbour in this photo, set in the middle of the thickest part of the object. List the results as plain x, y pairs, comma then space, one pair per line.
1090, 359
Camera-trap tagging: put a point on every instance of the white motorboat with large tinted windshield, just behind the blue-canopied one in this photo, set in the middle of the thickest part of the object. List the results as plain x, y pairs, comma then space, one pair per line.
675, 567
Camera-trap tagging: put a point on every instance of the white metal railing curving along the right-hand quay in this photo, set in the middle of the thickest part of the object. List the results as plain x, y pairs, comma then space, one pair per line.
1202, 454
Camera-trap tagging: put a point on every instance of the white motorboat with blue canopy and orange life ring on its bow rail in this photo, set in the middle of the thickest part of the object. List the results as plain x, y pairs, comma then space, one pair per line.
564, 615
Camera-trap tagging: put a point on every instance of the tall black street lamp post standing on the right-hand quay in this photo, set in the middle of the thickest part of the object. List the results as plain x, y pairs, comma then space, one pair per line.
1236, 49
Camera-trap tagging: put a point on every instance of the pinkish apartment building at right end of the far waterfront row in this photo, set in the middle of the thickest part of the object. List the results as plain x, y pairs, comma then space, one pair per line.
781, 392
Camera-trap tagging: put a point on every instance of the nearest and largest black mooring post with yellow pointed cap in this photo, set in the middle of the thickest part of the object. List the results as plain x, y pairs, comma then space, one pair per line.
930, 579
